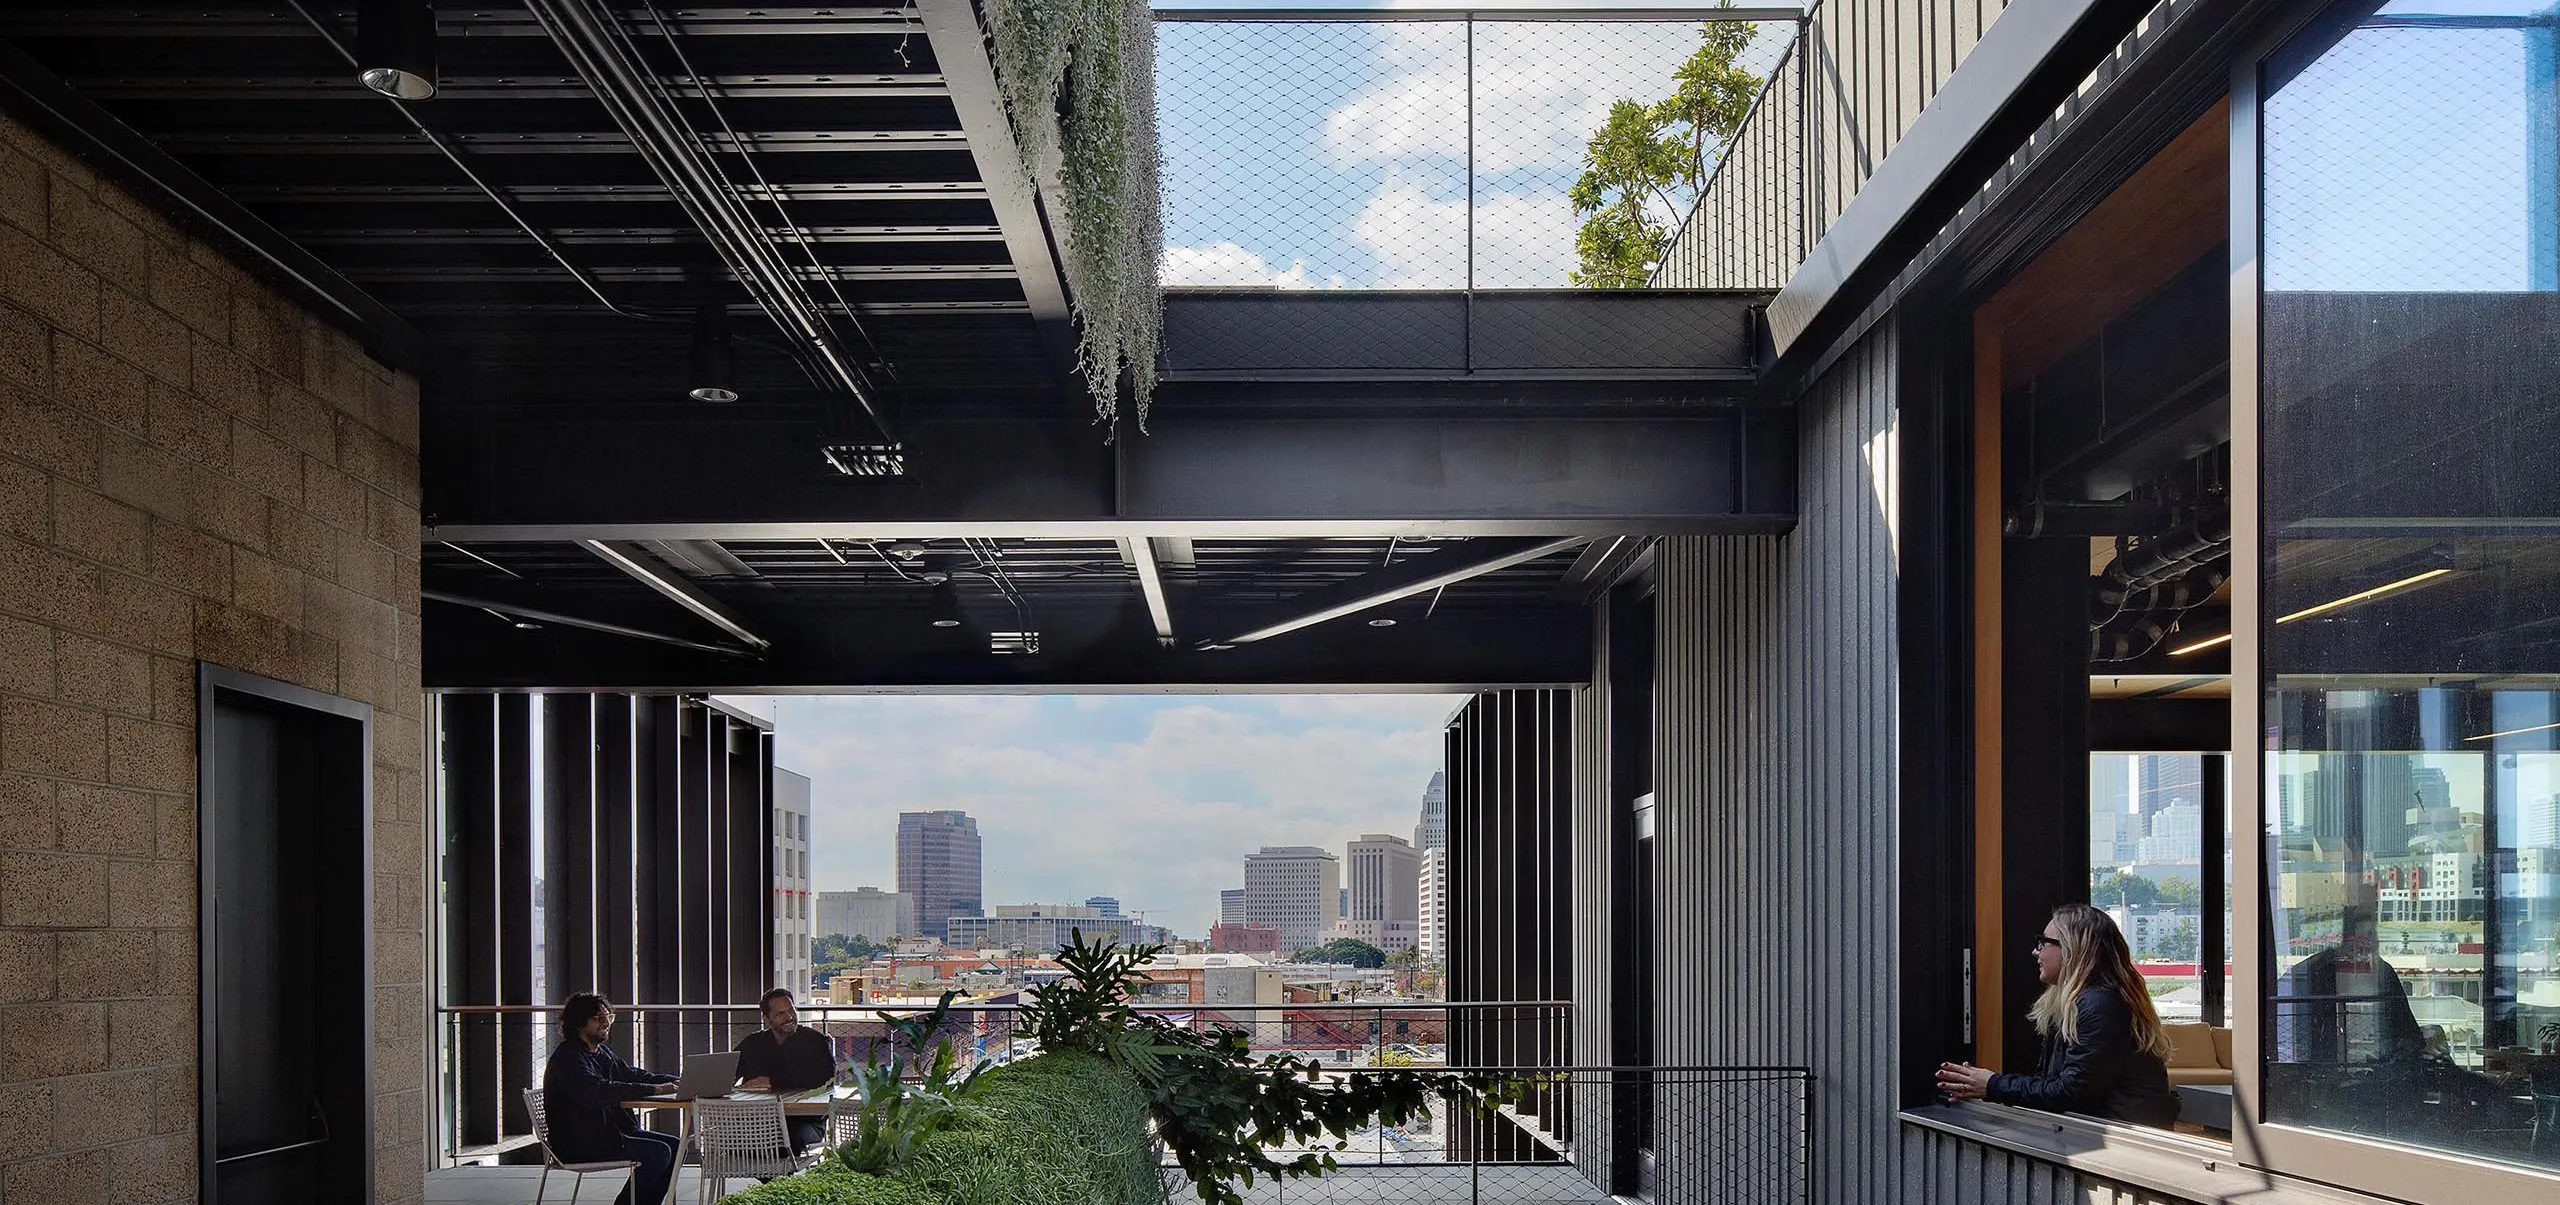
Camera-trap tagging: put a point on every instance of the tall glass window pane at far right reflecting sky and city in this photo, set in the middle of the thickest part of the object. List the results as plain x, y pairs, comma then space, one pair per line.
2410, 413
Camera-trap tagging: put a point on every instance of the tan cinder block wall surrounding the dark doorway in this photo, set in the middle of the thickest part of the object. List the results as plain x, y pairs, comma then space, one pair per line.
191, 469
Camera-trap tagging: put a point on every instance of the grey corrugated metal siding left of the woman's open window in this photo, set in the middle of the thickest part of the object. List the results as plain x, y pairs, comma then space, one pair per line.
1775, 792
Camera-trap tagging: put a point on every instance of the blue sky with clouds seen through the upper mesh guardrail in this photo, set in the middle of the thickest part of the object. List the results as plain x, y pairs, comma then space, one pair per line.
1335, 155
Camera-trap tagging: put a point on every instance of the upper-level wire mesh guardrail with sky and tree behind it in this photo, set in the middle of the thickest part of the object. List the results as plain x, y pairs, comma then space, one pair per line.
1443, 150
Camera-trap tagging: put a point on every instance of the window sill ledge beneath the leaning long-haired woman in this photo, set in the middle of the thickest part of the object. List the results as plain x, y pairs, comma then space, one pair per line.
2131, 1155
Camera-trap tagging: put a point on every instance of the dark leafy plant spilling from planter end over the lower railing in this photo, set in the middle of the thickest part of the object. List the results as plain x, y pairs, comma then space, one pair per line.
1220, 1107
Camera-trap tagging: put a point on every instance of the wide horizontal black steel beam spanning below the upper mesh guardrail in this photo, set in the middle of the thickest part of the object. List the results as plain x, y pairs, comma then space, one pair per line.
521, 475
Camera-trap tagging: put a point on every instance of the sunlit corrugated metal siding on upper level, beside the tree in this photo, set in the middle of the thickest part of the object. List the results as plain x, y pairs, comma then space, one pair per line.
1855, 83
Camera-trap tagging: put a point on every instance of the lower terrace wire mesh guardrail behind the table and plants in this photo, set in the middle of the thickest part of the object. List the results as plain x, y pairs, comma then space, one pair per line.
1573, 1135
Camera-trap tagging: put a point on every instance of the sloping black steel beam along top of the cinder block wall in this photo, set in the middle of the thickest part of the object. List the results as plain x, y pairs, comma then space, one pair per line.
76, 122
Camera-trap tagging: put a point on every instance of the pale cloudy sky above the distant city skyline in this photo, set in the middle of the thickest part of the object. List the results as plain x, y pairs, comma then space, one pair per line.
1140, 797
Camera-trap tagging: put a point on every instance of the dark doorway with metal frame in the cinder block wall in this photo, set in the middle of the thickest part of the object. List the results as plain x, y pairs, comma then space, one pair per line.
285, 927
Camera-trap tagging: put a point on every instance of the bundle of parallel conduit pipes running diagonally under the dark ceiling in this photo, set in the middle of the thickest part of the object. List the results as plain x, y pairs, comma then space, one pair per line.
634, 98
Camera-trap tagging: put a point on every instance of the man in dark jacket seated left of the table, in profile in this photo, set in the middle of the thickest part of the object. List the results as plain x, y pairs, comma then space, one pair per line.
585, 1089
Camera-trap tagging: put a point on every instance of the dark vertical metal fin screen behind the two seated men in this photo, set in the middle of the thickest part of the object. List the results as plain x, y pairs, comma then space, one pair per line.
595, 843
